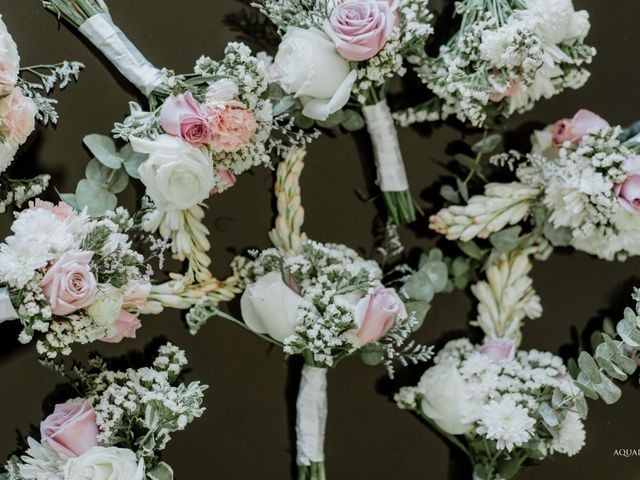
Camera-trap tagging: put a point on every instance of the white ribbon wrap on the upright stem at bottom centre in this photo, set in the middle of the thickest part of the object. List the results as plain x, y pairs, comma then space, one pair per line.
311, 415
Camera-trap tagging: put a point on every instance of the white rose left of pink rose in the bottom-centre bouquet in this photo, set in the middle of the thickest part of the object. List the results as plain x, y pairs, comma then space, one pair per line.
270, 306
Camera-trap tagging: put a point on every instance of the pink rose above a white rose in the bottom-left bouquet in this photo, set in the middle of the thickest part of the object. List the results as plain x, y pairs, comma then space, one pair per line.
71, 429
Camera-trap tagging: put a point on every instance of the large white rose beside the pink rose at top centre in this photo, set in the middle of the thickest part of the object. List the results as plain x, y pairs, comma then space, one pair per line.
308, 65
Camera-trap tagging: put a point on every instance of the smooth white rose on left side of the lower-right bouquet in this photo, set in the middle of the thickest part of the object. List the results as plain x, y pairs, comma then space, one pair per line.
447, 399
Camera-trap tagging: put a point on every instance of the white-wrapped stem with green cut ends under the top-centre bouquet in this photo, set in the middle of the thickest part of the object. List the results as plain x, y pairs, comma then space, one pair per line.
391, 173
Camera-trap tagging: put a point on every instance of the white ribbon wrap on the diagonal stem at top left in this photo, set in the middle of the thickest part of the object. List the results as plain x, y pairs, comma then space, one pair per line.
114, 44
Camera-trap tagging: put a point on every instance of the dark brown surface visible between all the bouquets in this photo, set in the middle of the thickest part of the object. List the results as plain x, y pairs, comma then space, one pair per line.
245, 432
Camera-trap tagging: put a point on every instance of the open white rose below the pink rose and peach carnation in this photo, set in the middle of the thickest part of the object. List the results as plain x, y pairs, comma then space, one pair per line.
177, 175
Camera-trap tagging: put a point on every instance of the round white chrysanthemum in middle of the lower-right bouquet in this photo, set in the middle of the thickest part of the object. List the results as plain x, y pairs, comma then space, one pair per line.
507, 423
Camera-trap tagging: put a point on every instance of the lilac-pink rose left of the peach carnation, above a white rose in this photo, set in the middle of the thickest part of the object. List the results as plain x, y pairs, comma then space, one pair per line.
182, 116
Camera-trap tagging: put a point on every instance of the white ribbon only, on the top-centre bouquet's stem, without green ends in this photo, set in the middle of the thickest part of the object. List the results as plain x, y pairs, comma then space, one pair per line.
391, 173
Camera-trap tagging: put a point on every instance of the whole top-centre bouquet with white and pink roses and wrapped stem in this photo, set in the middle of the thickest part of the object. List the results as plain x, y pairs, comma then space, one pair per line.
336, 51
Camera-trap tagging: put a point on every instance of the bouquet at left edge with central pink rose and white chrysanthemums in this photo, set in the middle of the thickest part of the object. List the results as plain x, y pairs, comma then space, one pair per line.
73, 278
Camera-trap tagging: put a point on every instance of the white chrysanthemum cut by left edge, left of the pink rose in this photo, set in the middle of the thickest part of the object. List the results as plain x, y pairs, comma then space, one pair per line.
19, 261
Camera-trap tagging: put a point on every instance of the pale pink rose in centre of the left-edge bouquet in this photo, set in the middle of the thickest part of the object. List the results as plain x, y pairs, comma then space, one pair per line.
69, 283
